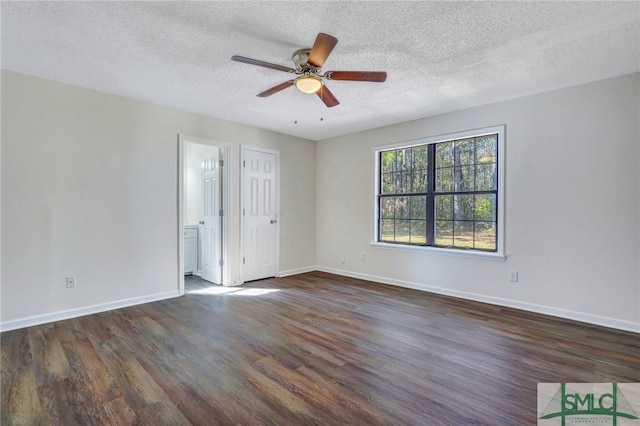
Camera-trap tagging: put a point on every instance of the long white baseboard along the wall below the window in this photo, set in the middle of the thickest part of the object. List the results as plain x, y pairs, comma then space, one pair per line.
547, 310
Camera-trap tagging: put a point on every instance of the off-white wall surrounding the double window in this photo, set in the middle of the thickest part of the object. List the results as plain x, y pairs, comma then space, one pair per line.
572, 206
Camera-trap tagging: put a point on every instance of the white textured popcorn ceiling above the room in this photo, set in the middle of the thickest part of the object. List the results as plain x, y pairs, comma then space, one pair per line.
439, 56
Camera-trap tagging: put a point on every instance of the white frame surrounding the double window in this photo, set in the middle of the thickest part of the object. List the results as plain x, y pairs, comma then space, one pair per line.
499, 254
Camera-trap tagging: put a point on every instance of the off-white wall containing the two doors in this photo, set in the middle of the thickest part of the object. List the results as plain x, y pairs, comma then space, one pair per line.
89, 188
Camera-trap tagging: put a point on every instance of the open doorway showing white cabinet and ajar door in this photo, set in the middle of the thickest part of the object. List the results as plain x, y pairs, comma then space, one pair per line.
203, 197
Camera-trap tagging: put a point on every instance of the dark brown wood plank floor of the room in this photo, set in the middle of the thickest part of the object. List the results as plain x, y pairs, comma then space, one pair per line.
312, 349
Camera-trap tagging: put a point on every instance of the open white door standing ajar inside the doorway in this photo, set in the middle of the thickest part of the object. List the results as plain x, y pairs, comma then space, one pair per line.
211, 269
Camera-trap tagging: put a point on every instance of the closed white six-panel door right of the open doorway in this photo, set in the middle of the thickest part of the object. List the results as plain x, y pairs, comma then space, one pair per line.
260, 207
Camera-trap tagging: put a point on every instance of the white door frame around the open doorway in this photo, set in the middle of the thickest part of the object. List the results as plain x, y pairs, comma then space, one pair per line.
225, 148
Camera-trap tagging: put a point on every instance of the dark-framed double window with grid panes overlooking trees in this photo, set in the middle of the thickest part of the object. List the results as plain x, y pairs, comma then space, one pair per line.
441, 192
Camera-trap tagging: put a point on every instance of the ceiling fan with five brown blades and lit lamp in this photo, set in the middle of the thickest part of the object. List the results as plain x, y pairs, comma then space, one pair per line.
310, 78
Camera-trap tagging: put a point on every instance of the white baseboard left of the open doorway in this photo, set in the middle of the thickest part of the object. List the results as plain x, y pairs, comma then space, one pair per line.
86, 310
